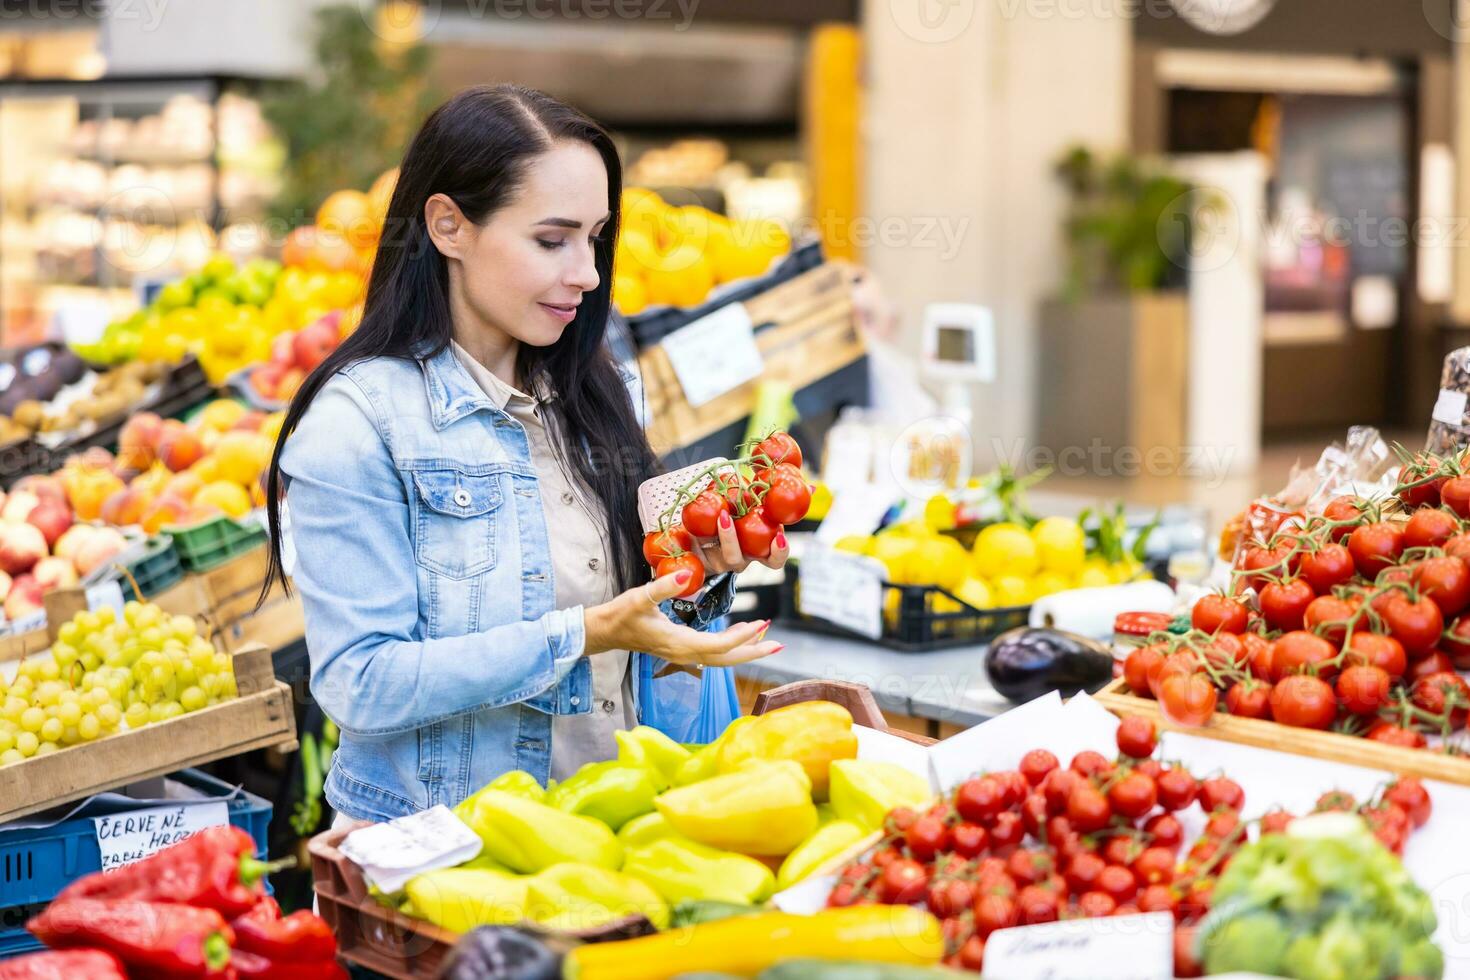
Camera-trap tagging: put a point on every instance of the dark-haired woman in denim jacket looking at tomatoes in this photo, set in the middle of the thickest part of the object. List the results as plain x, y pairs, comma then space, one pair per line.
462, 478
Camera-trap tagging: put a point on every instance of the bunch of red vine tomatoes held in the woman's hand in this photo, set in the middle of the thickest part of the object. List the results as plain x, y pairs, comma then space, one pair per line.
774, 494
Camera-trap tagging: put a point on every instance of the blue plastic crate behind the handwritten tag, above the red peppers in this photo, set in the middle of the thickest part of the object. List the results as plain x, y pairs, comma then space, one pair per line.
37, 865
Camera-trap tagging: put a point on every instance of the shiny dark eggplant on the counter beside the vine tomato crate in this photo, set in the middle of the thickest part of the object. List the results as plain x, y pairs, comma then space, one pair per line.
1025, 663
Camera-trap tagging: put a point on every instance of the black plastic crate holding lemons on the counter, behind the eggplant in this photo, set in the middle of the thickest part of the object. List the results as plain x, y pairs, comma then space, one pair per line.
911, 621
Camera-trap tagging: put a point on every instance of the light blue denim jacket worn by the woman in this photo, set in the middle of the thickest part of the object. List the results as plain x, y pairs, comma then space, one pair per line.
424, 566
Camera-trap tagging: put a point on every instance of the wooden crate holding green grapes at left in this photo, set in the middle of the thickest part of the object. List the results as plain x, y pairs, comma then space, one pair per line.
261, 718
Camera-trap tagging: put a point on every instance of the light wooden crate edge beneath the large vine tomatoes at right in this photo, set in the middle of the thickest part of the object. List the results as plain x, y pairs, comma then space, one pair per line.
1284, 738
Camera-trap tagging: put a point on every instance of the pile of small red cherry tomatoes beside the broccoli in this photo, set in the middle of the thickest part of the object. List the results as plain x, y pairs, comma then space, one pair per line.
1099, 838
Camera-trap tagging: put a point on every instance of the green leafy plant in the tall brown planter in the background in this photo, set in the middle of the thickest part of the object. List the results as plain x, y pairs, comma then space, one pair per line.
1127, 226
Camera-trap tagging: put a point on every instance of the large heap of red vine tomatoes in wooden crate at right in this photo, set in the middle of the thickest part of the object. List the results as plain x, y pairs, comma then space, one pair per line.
1350, 622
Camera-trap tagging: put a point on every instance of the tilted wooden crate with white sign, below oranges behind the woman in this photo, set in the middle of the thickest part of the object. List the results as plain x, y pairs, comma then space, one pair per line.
809, 334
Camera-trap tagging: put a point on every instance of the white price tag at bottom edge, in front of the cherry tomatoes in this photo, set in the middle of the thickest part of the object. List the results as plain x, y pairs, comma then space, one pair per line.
1116, 948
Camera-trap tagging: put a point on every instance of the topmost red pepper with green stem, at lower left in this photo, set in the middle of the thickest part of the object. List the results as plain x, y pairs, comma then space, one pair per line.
214, 869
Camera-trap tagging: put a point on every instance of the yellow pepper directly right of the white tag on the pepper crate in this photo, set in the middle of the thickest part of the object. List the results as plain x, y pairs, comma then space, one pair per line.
528, 837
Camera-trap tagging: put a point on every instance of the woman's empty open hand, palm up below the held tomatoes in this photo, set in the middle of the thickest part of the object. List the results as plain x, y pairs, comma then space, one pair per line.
634, 622
